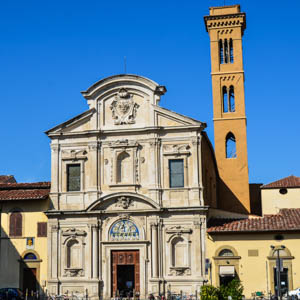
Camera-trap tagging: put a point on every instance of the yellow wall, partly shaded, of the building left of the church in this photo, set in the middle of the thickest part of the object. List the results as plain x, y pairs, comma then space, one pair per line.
14, 248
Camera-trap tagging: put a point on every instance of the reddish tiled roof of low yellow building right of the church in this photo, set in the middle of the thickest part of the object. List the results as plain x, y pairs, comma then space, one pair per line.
285, 220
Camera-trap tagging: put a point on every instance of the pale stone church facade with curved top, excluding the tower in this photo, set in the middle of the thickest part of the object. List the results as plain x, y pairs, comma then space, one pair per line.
123, 145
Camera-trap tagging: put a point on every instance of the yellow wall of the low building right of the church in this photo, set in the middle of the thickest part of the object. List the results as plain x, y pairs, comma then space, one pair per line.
254, 271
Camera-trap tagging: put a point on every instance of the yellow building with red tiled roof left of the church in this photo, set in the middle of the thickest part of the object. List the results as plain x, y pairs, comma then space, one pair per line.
23, 234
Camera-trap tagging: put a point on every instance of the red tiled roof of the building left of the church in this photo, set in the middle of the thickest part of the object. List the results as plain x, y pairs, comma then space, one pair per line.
24, 191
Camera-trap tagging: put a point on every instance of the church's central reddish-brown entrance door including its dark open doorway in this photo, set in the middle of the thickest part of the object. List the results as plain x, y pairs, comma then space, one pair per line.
125, 266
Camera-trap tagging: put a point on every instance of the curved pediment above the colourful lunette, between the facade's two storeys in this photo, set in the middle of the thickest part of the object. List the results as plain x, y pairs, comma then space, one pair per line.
125, 202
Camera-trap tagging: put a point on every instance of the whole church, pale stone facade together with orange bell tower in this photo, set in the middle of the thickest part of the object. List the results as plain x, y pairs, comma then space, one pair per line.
133, 184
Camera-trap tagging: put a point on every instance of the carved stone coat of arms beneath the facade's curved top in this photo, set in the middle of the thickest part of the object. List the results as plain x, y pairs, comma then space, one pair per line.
124, 108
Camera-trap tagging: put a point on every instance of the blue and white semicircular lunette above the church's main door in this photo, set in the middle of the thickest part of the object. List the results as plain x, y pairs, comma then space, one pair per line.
124, 230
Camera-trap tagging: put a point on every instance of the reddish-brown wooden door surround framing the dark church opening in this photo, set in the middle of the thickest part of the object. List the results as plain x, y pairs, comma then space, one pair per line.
130, 257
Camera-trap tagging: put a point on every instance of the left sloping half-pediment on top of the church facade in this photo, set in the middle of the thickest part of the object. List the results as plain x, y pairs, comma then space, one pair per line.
79, 123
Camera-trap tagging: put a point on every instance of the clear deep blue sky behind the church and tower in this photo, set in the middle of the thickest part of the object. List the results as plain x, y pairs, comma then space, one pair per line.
52, 50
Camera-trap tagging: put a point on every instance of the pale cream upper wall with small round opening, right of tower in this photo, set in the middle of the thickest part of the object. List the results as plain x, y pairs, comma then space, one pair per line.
273, 201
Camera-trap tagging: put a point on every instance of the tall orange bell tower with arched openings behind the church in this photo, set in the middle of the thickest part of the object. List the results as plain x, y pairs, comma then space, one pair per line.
226, 26
